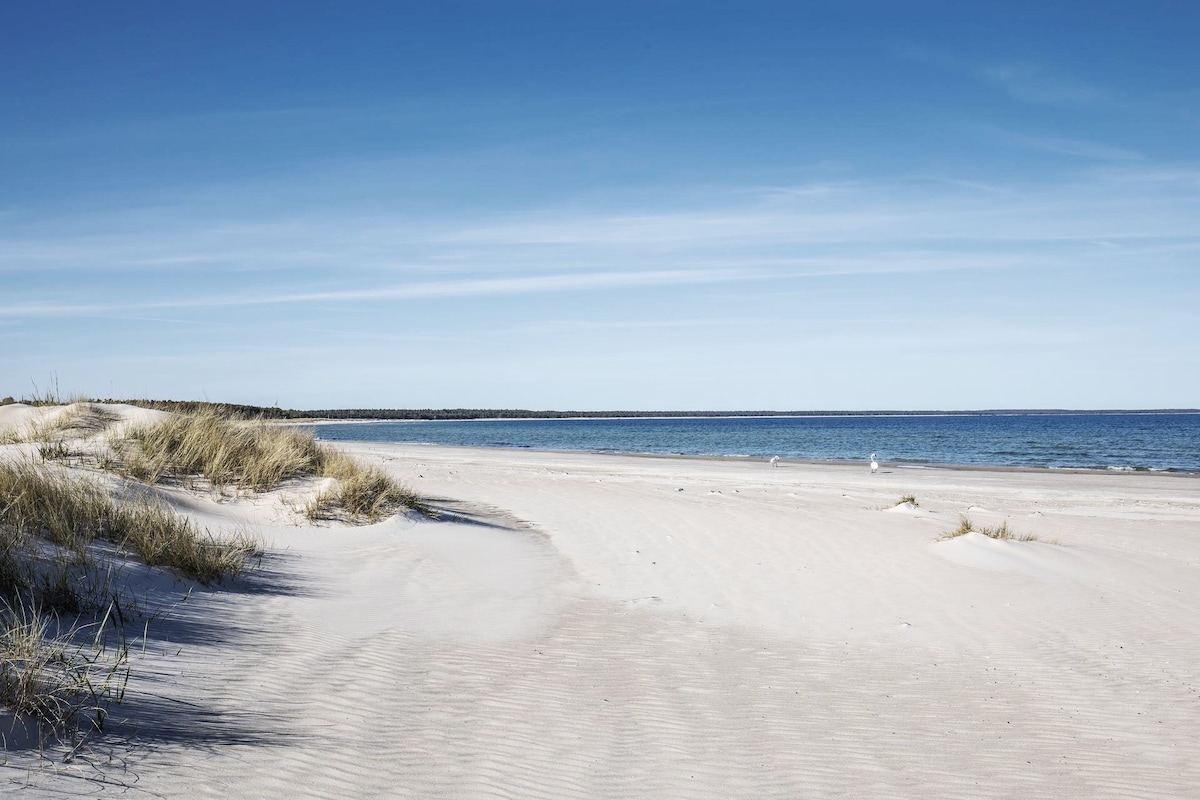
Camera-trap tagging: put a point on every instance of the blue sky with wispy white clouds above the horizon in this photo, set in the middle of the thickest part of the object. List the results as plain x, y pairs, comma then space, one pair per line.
603, 206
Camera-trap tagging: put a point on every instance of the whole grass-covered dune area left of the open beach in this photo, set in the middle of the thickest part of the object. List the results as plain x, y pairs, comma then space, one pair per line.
68, 534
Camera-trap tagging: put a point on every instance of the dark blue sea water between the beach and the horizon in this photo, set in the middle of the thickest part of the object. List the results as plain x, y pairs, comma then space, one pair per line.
1124, 442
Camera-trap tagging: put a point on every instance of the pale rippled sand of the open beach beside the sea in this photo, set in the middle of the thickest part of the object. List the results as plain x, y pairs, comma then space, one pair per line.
661, 628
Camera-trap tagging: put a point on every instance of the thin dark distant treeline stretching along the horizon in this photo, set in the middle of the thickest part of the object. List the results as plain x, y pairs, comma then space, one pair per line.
241, 411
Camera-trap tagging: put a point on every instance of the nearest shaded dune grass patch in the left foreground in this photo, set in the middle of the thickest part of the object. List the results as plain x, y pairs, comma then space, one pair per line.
63, 545
